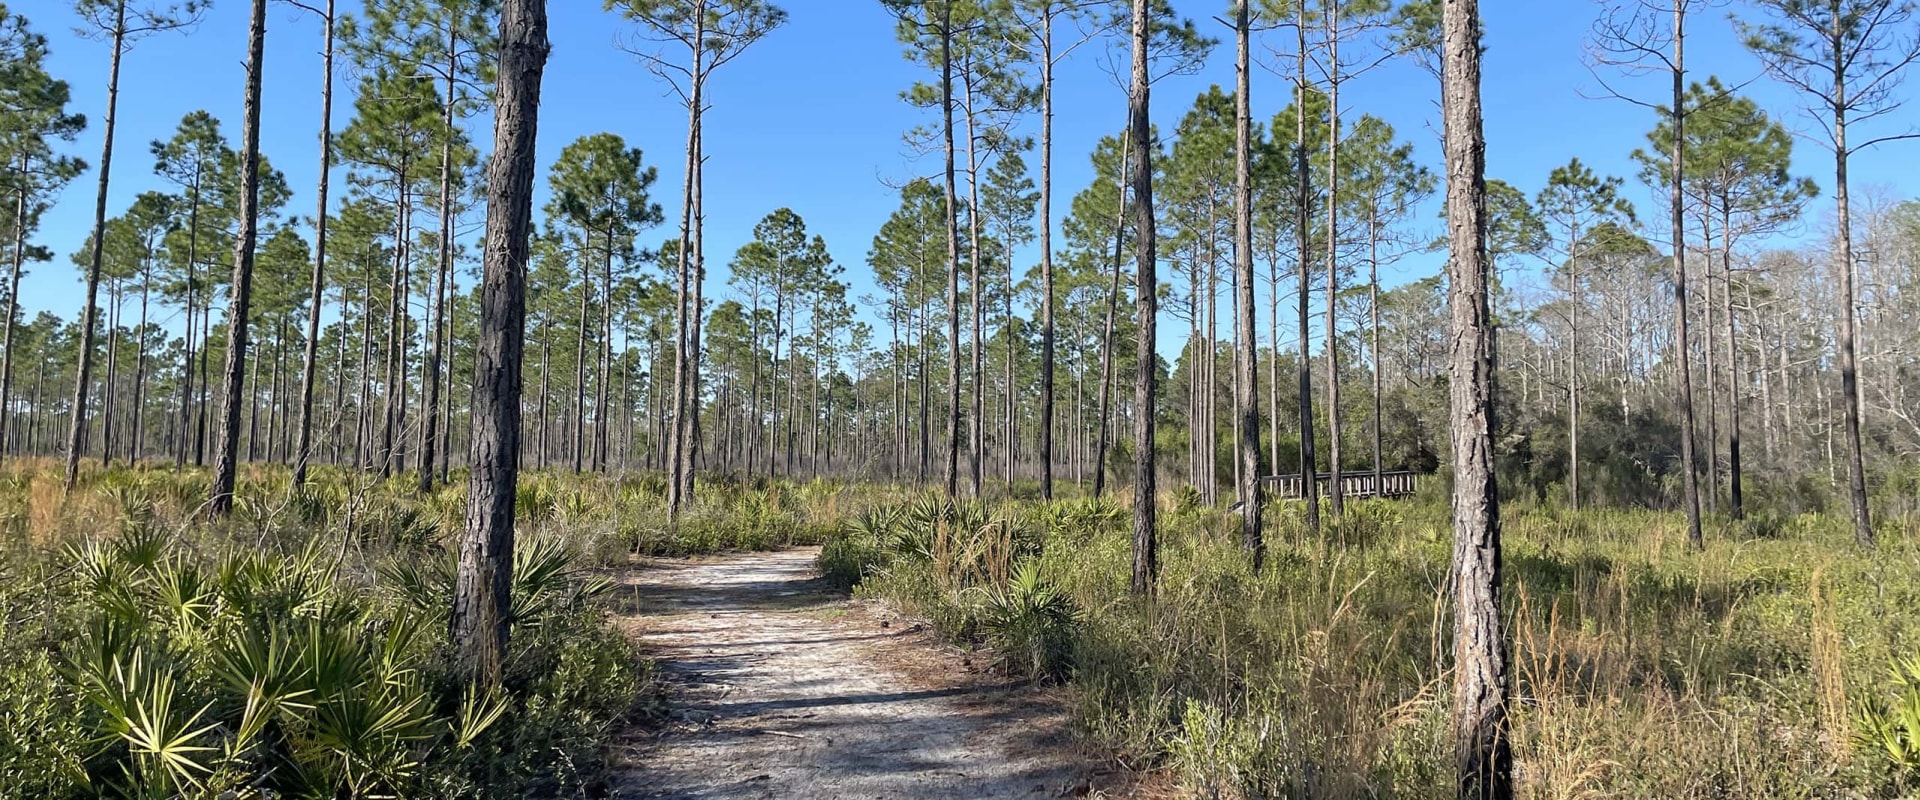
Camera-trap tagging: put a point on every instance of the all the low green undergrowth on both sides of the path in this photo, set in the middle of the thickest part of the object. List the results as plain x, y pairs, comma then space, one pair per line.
300, 649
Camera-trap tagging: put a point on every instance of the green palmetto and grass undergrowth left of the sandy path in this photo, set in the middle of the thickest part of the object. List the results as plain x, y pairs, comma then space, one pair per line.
300, 649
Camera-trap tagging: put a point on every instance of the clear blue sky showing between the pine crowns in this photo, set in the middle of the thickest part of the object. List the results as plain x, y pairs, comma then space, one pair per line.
811, 118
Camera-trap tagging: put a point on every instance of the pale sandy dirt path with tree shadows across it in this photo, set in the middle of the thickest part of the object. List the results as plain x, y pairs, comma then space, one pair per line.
782, 690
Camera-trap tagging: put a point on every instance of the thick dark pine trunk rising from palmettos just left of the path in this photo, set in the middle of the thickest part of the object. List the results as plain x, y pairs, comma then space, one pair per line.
481, 594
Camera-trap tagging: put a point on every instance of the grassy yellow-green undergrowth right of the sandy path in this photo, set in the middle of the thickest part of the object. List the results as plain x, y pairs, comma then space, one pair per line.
1783, 663
